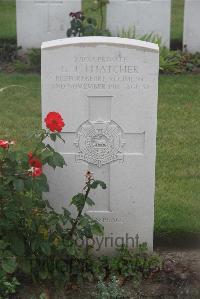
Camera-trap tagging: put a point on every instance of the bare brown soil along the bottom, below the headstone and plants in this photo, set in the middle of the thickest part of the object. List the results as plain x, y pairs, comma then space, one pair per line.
179, 279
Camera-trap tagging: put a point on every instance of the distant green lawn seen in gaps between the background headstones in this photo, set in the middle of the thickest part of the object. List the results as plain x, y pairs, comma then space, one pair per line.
8, 19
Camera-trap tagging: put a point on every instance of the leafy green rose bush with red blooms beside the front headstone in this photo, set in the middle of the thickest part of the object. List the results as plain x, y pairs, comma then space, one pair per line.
35, 240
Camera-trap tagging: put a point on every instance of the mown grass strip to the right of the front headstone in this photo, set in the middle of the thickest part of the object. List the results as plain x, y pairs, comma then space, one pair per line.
178, 159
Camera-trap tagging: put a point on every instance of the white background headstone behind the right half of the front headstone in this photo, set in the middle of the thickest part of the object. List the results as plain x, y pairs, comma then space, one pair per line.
146, 16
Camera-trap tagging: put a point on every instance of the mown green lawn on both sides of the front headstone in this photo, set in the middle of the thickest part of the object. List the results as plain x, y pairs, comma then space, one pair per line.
178, 142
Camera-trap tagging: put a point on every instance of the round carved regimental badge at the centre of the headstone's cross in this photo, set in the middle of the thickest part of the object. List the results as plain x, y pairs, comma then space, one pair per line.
99, 142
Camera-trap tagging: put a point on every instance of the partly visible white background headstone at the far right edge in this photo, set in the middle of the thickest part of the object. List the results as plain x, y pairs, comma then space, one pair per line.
191, 35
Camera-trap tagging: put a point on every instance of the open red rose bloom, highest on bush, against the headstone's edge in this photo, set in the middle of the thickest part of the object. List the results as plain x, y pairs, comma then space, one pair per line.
54, 122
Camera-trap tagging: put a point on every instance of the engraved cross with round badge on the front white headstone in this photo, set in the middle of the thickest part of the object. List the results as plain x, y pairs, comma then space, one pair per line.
101, 141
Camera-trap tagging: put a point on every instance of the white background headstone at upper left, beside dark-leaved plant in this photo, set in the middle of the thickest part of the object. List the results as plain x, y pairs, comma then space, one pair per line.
43, 20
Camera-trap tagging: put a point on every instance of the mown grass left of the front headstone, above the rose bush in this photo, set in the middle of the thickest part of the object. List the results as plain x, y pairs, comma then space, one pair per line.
19, 106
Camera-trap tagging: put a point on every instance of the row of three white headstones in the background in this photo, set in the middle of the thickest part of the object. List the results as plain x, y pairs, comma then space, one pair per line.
43, 20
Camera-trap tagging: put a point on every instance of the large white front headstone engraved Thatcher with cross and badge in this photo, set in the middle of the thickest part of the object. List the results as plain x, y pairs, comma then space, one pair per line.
106, 90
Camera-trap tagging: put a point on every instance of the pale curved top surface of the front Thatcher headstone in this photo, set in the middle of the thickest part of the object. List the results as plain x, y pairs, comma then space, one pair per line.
89, 40
